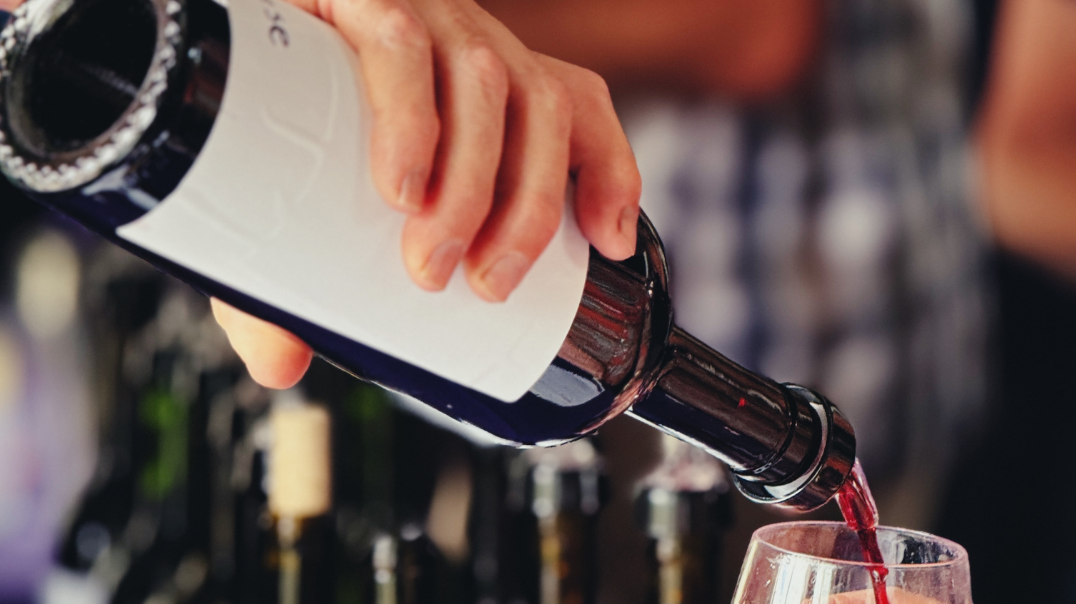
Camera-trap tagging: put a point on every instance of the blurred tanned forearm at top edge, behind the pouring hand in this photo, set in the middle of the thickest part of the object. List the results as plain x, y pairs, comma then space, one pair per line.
748, 51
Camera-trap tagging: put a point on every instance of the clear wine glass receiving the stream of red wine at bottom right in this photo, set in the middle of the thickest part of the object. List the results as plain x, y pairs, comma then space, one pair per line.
823, 564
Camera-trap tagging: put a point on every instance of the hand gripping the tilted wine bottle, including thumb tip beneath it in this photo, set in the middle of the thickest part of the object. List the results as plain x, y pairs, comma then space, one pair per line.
474, 137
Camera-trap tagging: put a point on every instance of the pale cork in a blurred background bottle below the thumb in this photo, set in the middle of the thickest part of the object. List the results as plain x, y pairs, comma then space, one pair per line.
300, 461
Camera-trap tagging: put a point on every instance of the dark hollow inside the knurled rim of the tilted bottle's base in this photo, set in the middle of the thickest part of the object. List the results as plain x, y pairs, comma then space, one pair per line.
80, 76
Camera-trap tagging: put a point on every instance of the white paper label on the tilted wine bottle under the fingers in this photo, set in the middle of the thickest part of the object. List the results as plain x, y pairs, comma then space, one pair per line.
280, 206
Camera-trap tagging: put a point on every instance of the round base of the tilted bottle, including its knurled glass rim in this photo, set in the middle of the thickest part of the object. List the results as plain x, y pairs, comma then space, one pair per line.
80, 83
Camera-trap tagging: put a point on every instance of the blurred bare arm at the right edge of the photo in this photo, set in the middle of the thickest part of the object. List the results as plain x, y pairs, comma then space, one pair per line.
1027, 134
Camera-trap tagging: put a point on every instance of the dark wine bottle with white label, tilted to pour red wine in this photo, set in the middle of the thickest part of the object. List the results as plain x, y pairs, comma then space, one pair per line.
228, 146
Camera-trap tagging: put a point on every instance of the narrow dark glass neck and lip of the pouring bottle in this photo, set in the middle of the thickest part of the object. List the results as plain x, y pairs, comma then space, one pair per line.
784, 444
